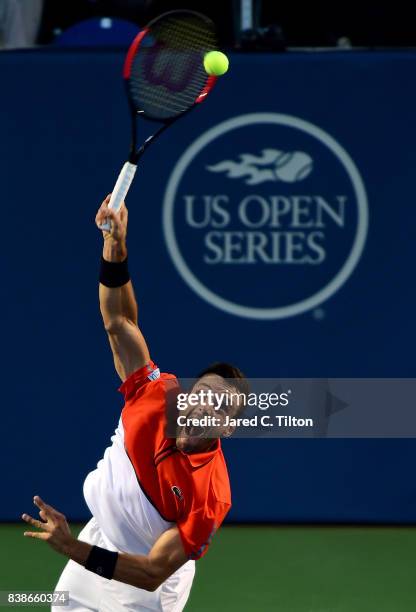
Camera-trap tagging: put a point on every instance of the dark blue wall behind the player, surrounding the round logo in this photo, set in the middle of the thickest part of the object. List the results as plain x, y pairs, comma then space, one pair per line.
64, 134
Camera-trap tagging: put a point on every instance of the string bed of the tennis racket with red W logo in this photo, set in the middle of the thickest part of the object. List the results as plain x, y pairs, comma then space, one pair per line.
167, 72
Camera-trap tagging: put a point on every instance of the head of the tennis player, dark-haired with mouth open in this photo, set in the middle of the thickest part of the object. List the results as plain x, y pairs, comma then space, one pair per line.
220, 392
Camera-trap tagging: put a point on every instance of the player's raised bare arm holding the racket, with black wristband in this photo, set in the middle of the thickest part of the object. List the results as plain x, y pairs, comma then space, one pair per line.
117, 301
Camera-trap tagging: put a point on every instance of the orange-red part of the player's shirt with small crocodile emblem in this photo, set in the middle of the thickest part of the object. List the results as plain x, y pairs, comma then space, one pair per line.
191, 490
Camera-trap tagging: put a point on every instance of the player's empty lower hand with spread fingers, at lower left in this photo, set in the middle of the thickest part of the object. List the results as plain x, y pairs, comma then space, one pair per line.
54, 528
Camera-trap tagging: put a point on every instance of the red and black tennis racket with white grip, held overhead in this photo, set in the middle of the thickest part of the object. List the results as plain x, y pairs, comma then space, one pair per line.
165, 78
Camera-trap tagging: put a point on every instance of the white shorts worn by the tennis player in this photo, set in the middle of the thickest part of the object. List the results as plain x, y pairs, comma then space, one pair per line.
89, 592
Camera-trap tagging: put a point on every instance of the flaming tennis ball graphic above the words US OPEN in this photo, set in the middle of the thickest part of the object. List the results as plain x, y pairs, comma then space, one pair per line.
270, 165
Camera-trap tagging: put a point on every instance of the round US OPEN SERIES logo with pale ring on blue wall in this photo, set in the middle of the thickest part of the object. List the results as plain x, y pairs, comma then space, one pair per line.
271, 214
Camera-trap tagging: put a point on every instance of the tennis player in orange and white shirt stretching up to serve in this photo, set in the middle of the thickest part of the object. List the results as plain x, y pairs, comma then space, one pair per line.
155, 501
